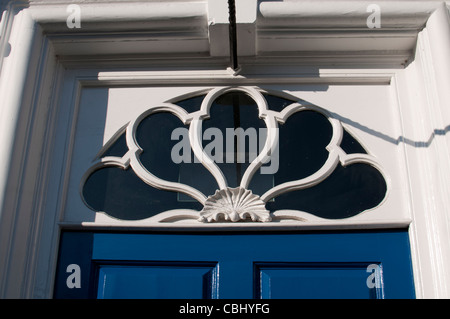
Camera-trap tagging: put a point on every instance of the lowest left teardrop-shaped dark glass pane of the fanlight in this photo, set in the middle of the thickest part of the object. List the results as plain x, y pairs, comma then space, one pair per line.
121, 194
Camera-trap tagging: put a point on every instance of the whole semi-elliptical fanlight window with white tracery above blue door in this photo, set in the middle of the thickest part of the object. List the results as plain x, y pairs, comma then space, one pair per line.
234, 154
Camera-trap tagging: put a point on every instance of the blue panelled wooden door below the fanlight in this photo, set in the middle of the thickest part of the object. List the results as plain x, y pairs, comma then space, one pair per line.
236, 265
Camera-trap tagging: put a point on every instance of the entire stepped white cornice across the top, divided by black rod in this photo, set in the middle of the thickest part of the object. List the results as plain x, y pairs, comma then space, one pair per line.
329, 30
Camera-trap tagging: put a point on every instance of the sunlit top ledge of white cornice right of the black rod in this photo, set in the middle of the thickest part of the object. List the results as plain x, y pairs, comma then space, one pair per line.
344, 14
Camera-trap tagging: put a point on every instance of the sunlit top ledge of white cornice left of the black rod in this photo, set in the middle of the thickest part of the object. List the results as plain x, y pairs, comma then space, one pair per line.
122, 16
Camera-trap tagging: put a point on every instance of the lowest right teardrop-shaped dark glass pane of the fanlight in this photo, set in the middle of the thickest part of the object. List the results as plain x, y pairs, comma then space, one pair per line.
347, 192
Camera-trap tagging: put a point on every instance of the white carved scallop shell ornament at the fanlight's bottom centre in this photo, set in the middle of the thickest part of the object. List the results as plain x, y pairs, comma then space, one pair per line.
234, 204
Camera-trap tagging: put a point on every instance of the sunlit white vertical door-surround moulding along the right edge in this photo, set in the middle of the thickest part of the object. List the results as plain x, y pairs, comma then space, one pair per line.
427, 160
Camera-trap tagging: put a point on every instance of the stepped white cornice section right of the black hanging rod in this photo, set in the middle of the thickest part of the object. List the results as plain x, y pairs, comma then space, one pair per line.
318, 28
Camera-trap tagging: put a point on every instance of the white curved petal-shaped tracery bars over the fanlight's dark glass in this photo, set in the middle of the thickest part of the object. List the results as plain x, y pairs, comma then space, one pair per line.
230, 204
